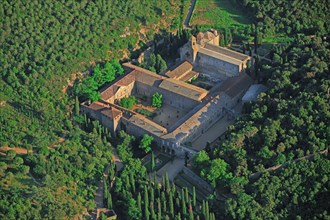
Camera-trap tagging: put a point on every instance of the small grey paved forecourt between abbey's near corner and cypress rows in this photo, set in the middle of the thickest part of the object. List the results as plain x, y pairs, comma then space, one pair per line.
172, 168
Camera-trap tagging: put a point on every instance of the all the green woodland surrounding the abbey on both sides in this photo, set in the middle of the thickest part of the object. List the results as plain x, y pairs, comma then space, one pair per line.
45, 47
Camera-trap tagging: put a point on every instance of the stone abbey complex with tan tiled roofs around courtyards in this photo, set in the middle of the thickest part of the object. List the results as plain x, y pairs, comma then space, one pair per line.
207, 83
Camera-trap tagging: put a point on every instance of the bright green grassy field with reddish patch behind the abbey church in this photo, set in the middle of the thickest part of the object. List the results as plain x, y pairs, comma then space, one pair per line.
219, 14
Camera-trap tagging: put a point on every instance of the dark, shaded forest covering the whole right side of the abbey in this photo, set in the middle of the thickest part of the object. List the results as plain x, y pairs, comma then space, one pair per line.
287, 125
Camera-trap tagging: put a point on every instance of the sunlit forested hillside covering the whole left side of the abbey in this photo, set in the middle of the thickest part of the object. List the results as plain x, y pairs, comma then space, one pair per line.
44, 47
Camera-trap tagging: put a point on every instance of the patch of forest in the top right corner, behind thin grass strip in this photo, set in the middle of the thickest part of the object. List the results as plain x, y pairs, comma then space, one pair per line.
289, 17
